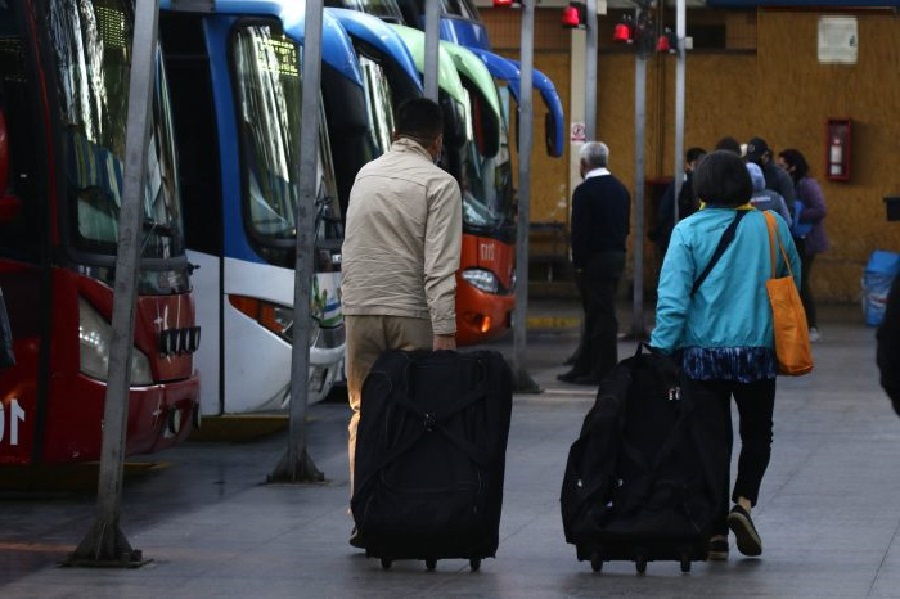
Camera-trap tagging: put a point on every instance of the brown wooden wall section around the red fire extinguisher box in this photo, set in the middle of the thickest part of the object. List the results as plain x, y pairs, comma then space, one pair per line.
809, 93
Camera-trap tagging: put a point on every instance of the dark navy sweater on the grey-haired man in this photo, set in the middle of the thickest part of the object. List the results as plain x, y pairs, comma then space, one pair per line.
601, 216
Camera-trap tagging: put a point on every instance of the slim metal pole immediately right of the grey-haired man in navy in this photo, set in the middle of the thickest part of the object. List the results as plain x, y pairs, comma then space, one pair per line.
640, 84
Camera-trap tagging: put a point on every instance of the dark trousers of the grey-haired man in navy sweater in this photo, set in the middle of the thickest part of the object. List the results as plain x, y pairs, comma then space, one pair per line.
598, 283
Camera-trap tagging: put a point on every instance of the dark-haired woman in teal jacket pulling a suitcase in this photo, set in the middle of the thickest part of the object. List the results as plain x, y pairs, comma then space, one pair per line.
723, 329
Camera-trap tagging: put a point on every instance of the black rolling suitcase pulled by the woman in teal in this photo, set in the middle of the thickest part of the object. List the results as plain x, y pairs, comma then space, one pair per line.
643, 482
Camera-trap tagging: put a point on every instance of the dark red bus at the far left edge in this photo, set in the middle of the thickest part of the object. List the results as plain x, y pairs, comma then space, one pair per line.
64, 84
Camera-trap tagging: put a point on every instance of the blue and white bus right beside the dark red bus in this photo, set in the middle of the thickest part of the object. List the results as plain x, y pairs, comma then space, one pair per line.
236, 79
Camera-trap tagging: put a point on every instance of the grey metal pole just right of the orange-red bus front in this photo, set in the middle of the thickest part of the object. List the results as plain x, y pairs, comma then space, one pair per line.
523, 381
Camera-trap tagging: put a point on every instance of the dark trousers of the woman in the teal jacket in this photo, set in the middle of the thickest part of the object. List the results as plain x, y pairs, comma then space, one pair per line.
756, 403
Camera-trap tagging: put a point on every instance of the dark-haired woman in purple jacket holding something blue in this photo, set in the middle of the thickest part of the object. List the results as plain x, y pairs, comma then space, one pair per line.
812, 215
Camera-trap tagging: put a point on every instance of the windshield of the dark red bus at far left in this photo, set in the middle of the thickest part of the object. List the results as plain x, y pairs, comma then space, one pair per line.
92, 43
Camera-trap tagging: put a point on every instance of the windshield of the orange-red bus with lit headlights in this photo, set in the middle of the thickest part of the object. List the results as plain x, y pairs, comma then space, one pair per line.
486, 182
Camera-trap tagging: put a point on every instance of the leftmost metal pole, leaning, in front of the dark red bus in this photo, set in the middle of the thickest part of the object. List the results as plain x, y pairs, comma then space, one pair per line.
105, 543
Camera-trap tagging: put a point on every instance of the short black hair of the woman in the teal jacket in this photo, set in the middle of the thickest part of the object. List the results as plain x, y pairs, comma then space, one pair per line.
721, 179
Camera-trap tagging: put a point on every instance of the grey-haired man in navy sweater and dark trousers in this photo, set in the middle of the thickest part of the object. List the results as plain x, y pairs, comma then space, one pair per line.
601, 208
